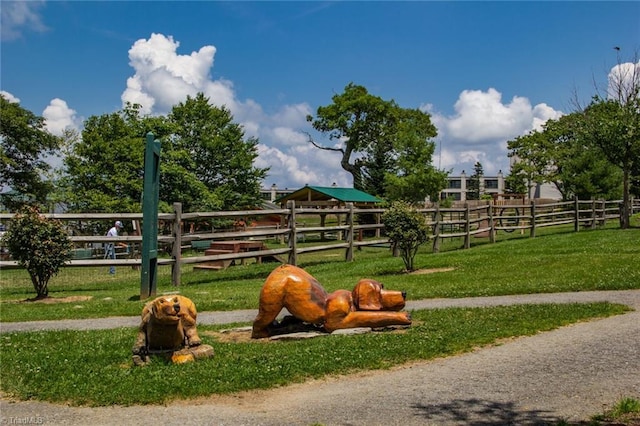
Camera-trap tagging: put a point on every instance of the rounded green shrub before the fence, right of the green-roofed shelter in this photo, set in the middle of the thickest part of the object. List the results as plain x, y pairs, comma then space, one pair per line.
407, 230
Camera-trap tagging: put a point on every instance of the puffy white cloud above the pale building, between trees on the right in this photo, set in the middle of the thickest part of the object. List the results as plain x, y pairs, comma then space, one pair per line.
479, 129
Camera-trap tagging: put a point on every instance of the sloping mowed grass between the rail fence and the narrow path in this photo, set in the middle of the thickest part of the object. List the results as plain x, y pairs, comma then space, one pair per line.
556, 262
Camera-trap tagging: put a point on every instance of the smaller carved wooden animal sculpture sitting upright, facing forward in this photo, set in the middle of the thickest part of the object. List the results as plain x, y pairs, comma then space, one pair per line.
168, 324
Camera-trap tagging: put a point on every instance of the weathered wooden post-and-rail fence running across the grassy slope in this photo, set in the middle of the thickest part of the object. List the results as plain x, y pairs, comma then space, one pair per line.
484, 220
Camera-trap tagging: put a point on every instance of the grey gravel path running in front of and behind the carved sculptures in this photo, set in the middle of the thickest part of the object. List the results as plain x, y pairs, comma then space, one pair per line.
570, 373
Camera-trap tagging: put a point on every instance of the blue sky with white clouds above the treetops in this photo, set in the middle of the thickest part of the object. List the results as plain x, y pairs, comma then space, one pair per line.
487, 72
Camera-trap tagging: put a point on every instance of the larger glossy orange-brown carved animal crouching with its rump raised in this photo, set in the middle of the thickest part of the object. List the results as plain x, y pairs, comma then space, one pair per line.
290, 287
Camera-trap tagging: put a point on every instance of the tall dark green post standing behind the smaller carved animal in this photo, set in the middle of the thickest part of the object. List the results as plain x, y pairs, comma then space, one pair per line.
148, 278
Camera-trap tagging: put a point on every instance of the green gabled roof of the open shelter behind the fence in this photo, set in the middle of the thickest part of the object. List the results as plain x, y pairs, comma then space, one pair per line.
329, 196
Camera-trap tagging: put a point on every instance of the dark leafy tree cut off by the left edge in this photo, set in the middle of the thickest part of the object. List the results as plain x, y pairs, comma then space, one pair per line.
24, 141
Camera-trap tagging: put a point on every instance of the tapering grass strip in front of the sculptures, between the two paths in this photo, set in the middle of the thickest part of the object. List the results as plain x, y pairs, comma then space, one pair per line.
94, 368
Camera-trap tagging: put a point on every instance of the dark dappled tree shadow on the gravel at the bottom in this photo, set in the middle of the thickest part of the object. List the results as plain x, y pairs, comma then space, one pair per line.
477, 412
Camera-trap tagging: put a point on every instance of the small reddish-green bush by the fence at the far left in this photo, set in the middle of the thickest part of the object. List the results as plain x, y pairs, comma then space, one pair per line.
40, 245
